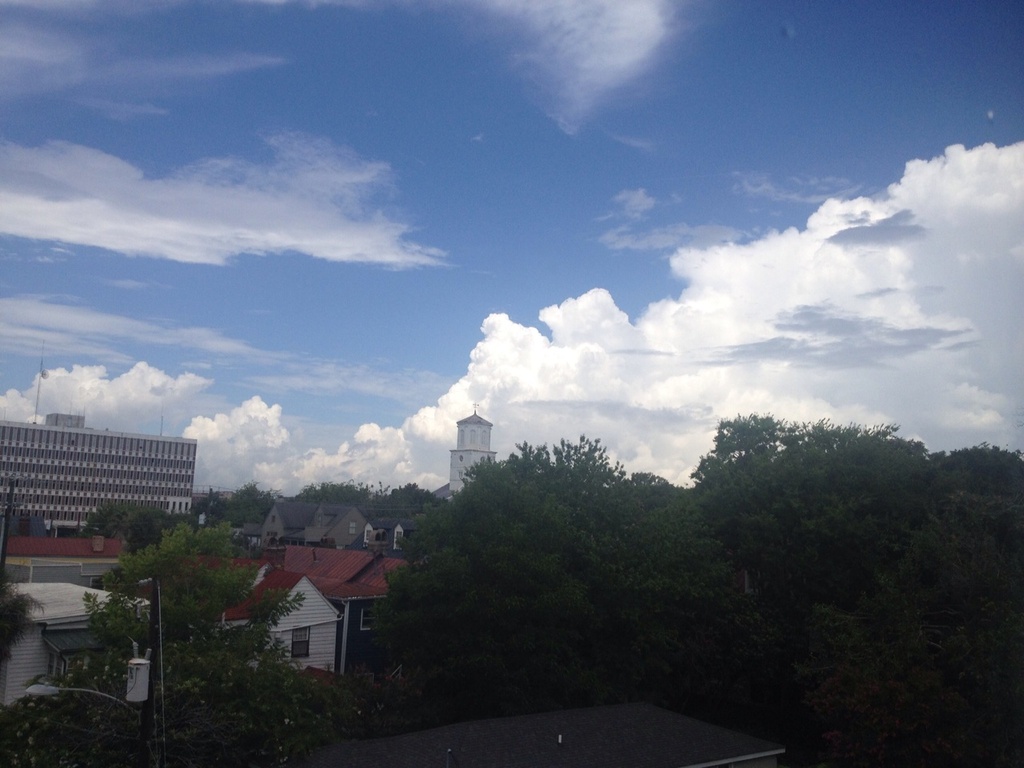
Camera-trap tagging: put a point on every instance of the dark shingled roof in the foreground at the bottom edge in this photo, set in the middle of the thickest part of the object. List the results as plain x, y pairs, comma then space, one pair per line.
635, 736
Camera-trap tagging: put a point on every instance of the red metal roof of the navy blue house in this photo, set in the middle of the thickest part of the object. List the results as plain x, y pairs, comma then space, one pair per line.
342, 574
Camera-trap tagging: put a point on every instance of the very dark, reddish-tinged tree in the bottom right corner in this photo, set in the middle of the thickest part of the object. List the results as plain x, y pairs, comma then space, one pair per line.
928, 671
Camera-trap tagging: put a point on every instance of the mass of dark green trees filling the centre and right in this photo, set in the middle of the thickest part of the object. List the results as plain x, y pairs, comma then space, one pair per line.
832, 580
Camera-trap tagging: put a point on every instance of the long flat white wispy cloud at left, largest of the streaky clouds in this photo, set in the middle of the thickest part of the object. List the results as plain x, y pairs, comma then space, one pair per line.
313, 198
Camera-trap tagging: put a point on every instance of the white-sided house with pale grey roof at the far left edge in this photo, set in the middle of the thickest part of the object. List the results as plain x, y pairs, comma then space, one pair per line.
61, 629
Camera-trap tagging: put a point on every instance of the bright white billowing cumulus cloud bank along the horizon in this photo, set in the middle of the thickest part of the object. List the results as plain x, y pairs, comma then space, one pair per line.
892, 309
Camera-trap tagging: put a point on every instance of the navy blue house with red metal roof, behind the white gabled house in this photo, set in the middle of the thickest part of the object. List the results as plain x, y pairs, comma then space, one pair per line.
354, 582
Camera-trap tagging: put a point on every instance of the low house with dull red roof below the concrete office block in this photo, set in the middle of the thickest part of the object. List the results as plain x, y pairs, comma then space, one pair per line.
70, 561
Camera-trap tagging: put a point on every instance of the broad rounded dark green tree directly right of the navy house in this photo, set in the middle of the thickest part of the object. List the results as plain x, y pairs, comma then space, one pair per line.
547, 583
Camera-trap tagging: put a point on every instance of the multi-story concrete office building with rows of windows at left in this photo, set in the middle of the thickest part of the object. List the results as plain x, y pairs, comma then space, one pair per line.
64, 471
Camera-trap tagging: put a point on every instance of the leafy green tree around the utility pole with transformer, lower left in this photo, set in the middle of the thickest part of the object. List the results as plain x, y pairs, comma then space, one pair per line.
230, 697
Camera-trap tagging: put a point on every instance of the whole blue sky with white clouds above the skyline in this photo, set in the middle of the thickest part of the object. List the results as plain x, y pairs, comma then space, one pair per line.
314, 236
